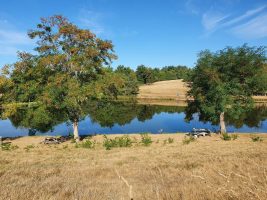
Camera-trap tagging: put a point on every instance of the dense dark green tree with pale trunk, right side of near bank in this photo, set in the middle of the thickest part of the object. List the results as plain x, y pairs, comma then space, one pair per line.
224, 82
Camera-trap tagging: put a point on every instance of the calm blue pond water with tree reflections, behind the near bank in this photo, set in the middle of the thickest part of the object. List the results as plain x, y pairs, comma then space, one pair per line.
111, 118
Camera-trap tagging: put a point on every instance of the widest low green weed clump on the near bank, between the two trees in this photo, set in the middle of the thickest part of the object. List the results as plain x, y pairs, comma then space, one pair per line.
123, 141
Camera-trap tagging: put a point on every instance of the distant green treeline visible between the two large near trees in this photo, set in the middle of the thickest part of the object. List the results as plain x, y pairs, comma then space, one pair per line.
125, 81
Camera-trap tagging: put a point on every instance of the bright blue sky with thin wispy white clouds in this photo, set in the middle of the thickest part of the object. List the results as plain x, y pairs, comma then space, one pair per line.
151, 32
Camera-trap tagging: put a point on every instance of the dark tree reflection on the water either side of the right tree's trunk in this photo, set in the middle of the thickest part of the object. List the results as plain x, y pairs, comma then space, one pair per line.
251, 118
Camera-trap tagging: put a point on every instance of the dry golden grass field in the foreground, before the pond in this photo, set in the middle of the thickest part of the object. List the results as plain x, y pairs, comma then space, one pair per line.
208, 168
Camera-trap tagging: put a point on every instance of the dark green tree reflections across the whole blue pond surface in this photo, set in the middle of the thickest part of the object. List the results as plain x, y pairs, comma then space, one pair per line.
107, 114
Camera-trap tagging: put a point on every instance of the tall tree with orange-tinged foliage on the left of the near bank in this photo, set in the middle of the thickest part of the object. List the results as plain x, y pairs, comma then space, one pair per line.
63, 74
